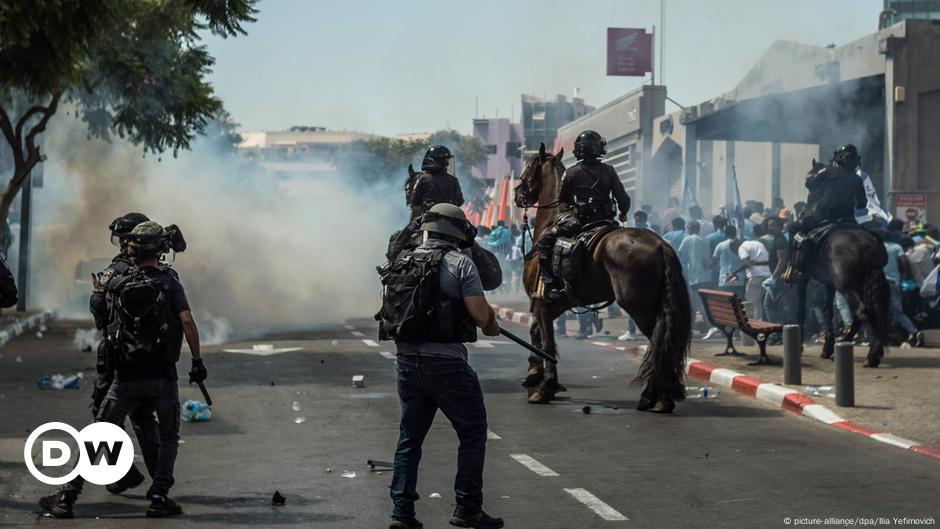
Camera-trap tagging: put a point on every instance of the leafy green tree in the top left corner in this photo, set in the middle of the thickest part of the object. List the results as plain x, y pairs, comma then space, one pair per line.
131, 68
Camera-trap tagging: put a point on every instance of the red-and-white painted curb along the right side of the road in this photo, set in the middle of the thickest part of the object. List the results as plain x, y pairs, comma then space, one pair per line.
776, 395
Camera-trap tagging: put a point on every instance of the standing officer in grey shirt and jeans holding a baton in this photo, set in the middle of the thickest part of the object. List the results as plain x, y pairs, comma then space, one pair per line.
433, 372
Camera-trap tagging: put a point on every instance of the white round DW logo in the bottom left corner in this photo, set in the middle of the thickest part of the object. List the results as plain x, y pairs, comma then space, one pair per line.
105, 453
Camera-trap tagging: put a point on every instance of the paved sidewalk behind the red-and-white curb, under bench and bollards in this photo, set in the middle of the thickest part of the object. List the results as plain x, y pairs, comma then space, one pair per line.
901, 397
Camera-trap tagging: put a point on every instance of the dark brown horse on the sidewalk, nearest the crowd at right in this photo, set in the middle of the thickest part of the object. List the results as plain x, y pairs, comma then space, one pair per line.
852, 262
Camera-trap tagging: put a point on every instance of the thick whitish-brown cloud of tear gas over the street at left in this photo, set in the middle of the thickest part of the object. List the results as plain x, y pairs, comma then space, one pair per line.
262, 253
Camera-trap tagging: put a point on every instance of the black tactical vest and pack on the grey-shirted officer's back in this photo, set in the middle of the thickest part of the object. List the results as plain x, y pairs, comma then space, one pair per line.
415, 309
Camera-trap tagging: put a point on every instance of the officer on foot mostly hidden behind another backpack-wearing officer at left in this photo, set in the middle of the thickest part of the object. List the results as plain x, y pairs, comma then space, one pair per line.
61, 504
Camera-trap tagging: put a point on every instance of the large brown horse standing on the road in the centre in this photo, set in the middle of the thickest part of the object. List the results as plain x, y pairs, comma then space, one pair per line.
634, 267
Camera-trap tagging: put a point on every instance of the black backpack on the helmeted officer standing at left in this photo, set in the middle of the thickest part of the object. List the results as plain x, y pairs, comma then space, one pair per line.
141, 317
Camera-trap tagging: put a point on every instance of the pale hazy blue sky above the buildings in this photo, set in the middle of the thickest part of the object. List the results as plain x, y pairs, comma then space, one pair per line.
416, 65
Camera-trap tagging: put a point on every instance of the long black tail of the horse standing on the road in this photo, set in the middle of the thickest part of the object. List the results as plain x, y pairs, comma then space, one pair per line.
664, 363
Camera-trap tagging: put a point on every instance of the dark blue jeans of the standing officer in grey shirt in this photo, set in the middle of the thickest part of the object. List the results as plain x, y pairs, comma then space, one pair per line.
426, 384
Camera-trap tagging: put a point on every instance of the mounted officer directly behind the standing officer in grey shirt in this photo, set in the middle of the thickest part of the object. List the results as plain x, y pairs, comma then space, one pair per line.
433, 185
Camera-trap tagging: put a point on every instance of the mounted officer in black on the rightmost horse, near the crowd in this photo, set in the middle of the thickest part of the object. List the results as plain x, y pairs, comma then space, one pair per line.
835, 192
